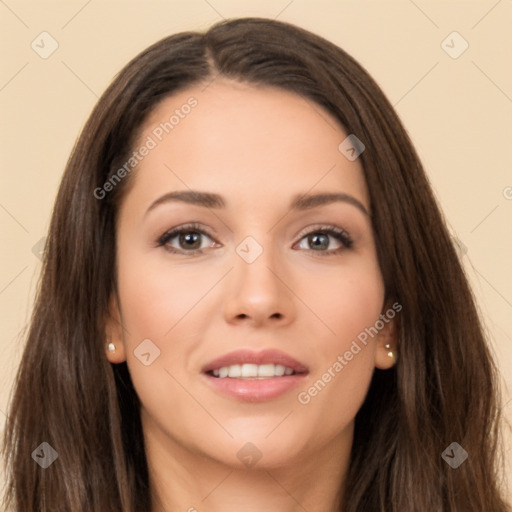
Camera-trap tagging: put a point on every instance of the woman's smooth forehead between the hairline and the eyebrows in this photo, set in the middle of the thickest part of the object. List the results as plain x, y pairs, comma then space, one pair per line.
257, 145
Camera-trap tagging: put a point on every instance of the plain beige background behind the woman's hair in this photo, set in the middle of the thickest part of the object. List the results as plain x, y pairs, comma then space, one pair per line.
457, 110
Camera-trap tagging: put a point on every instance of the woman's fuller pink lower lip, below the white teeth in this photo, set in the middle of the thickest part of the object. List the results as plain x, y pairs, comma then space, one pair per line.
255, 390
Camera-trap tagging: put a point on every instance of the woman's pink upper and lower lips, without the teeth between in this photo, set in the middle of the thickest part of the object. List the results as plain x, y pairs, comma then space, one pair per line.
255, 390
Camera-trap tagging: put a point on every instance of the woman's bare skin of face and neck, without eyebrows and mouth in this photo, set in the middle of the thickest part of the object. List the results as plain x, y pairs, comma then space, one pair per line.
258, 148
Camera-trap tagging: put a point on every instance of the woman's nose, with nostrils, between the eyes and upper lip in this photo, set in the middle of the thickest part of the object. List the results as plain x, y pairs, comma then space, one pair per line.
259, 292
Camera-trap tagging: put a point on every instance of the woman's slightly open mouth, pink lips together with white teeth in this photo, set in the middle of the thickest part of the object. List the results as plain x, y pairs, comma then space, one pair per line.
254, 376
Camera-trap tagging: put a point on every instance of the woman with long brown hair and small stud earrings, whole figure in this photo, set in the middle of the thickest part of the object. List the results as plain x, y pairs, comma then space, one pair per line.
250, 300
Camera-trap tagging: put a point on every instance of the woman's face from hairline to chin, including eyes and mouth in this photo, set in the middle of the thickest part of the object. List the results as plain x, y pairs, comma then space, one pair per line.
246, 317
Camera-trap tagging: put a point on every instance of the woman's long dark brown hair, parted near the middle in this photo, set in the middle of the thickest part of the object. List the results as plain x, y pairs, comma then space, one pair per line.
443, 389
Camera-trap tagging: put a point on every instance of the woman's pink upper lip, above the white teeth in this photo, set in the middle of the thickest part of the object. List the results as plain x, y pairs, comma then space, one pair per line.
269, 356
